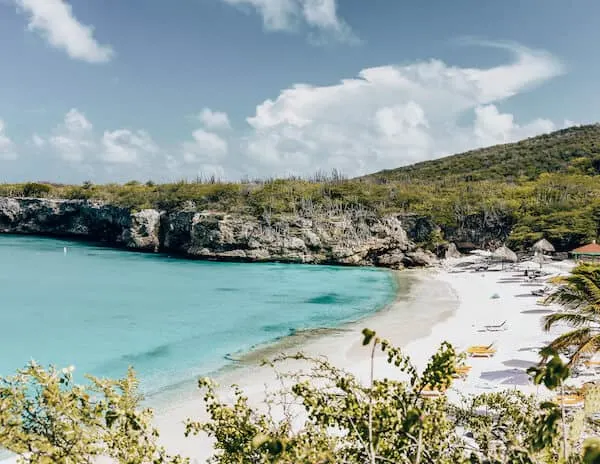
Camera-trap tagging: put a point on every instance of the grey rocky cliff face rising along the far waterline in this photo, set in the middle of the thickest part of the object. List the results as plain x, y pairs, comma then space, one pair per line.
357, 238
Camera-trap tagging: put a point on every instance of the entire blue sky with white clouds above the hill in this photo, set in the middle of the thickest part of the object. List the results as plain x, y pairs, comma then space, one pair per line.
113, 90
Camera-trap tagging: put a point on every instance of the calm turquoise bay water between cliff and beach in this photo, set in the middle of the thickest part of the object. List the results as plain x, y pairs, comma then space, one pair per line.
102, 309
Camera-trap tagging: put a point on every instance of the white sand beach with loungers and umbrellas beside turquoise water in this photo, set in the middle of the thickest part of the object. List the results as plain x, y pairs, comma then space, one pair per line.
442, 306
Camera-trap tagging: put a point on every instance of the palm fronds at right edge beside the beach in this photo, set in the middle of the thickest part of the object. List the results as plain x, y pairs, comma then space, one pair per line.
579, 295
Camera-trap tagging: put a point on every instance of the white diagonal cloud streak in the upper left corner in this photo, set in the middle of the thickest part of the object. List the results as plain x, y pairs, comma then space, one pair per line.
54, 21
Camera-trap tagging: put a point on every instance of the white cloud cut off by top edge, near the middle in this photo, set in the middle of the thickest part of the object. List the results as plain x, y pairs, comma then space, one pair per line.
287, 15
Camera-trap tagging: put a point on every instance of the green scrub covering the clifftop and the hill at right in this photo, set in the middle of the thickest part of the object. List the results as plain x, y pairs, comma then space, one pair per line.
547, 186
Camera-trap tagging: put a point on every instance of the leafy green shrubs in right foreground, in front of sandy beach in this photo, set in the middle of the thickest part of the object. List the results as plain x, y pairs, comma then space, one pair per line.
344, 421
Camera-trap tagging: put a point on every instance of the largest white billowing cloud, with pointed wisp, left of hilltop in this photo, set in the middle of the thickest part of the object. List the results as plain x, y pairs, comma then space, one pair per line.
393, 115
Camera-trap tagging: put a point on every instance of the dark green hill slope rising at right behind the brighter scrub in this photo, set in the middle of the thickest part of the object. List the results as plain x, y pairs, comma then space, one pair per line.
573, 150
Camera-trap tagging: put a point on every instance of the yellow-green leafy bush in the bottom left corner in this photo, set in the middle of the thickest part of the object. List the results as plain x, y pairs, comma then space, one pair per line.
46, 418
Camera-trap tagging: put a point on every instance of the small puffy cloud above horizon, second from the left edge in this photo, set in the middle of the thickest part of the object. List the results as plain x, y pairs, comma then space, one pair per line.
73, 139
